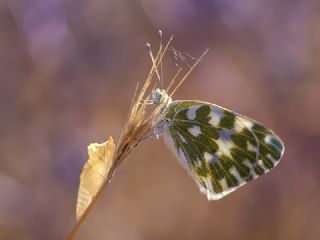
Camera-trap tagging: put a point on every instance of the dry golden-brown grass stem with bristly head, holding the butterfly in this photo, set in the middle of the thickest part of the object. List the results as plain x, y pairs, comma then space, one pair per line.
138, 125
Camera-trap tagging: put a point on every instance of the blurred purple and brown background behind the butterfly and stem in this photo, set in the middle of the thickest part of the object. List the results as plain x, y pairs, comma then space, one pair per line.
68, 70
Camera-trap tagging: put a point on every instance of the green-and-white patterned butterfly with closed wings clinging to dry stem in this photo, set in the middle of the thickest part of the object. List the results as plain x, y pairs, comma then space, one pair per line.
221, 149
